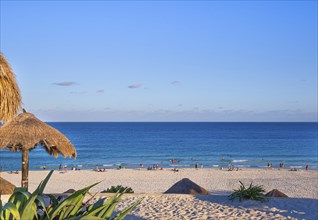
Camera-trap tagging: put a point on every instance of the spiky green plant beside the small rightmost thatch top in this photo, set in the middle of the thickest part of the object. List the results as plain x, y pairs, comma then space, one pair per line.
253, 192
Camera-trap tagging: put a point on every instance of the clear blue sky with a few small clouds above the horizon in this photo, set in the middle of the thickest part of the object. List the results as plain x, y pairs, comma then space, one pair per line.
164, 61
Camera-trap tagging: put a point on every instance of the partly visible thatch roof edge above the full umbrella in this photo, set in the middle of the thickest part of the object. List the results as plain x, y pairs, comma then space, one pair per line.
10, 98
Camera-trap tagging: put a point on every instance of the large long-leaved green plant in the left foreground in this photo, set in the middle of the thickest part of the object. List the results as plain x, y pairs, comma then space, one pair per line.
24, 205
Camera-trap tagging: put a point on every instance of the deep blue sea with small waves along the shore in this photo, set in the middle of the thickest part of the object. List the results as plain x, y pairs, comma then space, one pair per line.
110, 145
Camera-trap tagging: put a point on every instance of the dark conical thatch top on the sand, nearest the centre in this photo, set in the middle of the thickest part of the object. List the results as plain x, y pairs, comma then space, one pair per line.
186, 186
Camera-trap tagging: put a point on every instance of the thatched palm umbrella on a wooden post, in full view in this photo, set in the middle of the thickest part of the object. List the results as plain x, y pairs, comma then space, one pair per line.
25, 132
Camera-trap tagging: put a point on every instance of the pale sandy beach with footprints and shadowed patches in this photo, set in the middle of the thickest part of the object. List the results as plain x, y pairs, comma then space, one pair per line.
301, 186
